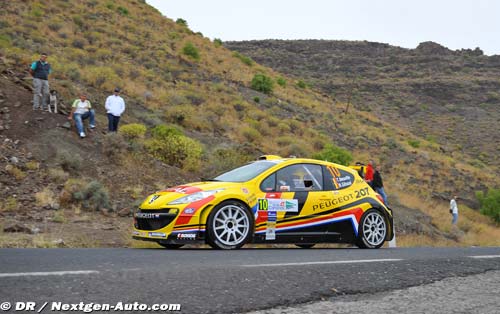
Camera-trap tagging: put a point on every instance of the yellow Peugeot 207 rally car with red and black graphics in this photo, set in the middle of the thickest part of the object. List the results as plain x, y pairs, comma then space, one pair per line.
272, 200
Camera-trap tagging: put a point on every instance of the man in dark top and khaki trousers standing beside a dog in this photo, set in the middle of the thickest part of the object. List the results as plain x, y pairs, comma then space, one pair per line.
40, 71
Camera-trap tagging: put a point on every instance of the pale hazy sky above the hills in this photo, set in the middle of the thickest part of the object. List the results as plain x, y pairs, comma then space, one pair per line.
454, 24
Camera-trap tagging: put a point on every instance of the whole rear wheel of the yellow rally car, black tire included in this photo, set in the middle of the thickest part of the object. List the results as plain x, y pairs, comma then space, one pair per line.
372, 230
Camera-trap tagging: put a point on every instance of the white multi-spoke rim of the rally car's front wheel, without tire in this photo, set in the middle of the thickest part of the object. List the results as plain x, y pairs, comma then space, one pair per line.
231, 225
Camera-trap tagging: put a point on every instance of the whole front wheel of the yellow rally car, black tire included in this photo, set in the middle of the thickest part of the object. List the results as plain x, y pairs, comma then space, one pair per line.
230, 225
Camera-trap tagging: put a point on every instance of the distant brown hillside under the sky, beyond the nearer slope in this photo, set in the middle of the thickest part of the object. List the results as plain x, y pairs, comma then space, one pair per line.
448, 97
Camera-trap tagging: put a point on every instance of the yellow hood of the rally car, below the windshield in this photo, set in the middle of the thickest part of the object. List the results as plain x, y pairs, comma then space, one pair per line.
160, 199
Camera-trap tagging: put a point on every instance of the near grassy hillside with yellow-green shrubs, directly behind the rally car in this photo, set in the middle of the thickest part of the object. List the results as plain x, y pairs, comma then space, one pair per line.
191, 112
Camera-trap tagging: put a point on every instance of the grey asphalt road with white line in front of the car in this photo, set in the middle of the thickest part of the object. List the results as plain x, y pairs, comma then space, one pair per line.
210, 281
